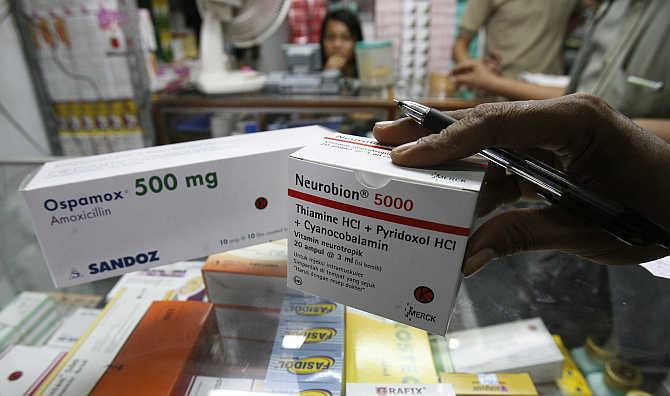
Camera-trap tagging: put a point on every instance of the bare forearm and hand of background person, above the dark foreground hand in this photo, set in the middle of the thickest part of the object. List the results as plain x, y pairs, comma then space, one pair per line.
477, 75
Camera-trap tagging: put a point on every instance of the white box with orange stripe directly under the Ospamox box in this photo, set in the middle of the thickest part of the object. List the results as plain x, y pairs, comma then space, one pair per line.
229, 277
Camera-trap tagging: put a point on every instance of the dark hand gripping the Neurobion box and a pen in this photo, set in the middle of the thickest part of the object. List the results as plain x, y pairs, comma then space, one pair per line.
597, 147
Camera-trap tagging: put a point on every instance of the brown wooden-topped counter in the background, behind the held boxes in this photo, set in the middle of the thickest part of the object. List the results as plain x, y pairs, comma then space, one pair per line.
189, 115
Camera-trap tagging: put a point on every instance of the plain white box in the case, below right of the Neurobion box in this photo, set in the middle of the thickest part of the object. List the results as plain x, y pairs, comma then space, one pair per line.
520, 346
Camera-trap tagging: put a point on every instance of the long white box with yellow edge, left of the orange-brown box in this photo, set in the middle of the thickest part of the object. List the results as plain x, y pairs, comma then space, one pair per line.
89, 358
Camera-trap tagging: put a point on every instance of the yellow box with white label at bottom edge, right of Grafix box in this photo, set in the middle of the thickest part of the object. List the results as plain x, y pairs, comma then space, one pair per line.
518, 384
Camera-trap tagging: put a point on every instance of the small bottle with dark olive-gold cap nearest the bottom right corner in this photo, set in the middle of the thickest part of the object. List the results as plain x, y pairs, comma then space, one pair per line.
617, 379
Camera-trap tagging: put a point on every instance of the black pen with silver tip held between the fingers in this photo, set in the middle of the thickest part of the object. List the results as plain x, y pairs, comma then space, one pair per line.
555, 186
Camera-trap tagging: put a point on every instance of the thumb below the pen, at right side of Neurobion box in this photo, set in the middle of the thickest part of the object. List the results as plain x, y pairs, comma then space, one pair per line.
530, 229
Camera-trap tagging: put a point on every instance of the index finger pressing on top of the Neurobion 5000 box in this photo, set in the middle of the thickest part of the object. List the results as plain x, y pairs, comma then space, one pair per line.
559, 125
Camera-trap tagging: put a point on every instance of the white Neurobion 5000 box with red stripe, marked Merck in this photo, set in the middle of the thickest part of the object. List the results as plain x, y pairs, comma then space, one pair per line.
375, 236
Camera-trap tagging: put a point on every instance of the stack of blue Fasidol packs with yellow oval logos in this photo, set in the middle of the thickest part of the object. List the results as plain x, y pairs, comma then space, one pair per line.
308, 352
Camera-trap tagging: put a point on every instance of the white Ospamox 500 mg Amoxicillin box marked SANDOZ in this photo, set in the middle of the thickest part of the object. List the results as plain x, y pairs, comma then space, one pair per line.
101, 216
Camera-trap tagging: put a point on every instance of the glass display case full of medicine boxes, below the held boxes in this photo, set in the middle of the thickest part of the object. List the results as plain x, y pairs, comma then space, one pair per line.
534, 323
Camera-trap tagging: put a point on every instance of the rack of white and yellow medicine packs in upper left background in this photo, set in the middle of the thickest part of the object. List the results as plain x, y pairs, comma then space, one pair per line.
84, 61
